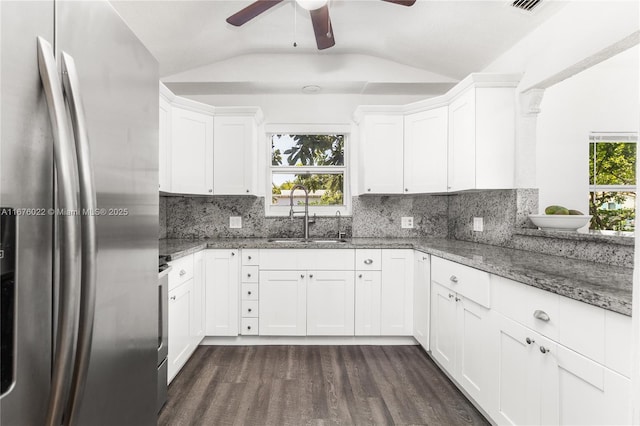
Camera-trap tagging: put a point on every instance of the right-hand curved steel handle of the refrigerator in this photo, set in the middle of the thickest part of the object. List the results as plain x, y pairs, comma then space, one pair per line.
88, 206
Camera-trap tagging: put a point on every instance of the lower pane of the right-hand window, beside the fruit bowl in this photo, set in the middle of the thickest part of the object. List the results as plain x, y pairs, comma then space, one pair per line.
615, 211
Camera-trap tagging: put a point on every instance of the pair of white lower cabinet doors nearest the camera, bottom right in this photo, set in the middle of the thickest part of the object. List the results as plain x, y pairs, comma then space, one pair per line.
542, 382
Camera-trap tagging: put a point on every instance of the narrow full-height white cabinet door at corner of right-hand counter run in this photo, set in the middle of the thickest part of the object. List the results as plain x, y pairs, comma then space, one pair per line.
421, 298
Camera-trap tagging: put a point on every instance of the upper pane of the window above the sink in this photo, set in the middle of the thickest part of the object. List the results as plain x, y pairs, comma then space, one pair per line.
307, 150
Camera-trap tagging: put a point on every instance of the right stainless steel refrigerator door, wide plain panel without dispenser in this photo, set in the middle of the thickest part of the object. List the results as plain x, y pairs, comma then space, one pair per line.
119, 88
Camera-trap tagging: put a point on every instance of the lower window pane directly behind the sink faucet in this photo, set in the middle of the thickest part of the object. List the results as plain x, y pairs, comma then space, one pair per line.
324, 189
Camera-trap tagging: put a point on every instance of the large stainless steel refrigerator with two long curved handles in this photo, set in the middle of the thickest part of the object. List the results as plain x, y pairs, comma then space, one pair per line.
79, 130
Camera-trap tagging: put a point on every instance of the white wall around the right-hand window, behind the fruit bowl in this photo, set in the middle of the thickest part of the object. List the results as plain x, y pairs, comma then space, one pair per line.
603, 98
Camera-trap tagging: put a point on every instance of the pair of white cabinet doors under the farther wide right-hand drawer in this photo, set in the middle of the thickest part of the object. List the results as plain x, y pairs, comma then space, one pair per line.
459, 340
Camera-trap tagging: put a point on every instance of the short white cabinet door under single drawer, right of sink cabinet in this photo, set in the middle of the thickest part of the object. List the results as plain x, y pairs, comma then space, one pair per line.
368, 292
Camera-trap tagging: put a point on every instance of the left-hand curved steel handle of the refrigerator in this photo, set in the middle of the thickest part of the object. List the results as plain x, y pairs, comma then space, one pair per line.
69, 282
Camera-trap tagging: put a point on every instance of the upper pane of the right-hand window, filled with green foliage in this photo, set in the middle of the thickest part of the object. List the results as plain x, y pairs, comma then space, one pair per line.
615, 163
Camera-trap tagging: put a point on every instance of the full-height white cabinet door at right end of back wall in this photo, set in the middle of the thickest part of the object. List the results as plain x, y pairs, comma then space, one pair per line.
396, 302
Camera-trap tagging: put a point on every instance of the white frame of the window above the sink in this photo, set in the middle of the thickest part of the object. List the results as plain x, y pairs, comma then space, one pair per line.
302, 129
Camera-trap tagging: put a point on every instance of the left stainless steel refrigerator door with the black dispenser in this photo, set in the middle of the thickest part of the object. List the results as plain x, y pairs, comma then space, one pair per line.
26, 184
